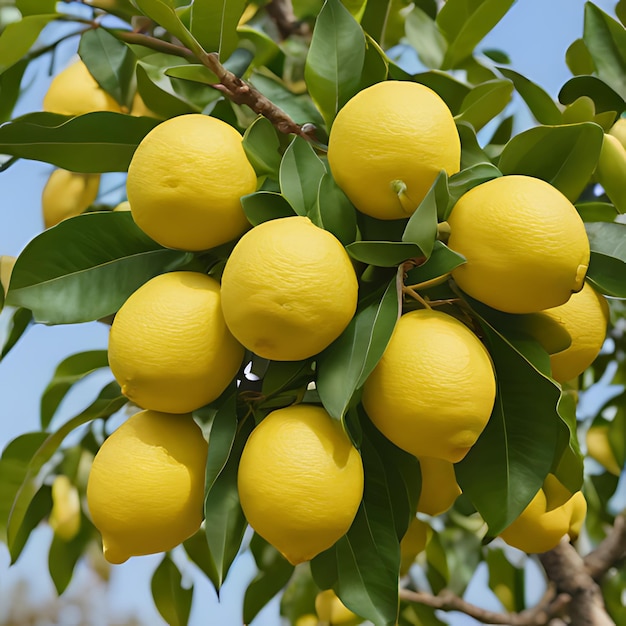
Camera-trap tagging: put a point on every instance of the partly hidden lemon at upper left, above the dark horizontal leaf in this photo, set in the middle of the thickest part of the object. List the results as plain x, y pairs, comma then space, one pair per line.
74, 91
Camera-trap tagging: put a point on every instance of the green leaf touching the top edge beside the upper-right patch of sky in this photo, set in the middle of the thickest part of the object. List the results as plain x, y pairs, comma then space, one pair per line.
464, 24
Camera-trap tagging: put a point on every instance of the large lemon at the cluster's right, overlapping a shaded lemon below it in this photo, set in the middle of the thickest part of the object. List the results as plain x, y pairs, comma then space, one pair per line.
525, 244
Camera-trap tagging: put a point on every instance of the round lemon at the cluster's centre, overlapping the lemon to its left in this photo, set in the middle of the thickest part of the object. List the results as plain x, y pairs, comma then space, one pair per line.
288, 289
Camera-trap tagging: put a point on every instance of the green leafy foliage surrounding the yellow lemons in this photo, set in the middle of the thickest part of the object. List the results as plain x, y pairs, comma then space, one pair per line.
187, 57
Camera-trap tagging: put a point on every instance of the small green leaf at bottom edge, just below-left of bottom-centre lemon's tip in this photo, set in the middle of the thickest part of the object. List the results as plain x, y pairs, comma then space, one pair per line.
274, 573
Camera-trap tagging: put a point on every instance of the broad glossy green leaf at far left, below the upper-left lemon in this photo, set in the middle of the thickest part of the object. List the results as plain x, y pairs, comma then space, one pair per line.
93, 263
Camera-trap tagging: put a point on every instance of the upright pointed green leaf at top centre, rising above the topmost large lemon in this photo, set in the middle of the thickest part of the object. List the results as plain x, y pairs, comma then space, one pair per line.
335, 59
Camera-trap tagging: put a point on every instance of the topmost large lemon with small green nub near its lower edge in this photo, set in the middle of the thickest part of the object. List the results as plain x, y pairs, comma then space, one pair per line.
392, 137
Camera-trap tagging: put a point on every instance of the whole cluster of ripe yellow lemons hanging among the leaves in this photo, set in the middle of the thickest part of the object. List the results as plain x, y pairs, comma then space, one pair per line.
287, 291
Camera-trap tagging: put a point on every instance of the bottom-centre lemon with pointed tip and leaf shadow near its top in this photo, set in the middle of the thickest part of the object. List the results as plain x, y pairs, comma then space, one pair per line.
300, 481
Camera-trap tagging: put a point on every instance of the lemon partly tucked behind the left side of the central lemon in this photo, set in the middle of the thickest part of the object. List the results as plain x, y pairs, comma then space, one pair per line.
169, 348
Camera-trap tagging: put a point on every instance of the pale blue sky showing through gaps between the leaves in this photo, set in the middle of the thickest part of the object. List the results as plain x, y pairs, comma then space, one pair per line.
535, 34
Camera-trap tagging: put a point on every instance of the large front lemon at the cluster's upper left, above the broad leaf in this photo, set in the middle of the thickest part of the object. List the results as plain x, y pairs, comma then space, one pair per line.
185, 182
